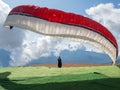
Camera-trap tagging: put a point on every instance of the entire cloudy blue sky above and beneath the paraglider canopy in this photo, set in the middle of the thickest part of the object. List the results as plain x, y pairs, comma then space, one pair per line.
21, 49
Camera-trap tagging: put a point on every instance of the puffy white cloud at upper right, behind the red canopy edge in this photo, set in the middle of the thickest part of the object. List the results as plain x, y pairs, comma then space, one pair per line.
109, 16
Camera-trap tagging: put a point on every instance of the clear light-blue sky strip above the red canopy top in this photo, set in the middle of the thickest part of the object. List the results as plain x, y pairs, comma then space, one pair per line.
77, 6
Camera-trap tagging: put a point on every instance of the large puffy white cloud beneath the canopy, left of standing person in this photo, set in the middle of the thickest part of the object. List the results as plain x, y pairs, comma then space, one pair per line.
40, 46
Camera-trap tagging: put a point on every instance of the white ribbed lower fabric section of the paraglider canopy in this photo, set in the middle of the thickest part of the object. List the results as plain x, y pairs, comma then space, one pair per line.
71, 32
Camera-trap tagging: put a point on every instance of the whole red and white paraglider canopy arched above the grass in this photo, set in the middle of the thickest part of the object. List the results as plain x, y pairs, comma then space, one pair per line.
58, 23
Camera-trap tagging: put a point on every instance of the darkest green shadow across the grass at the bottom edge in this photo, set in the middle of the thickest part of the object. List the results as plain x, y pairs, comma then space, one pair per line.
97, 84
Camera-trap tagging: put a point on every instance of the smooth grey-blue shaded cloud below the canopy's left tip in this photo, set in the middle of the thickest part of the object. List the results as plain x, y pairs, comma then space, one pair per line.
11, 39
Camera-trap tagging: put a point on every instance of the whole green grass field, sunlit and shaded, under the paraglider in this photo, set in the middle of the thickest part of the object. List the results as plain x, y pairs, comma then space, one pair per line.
71, 78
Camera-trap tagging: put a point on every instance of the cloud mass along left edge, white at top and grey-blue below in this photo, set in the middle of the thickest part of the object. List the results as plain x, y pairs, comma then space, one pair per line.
9, 39
